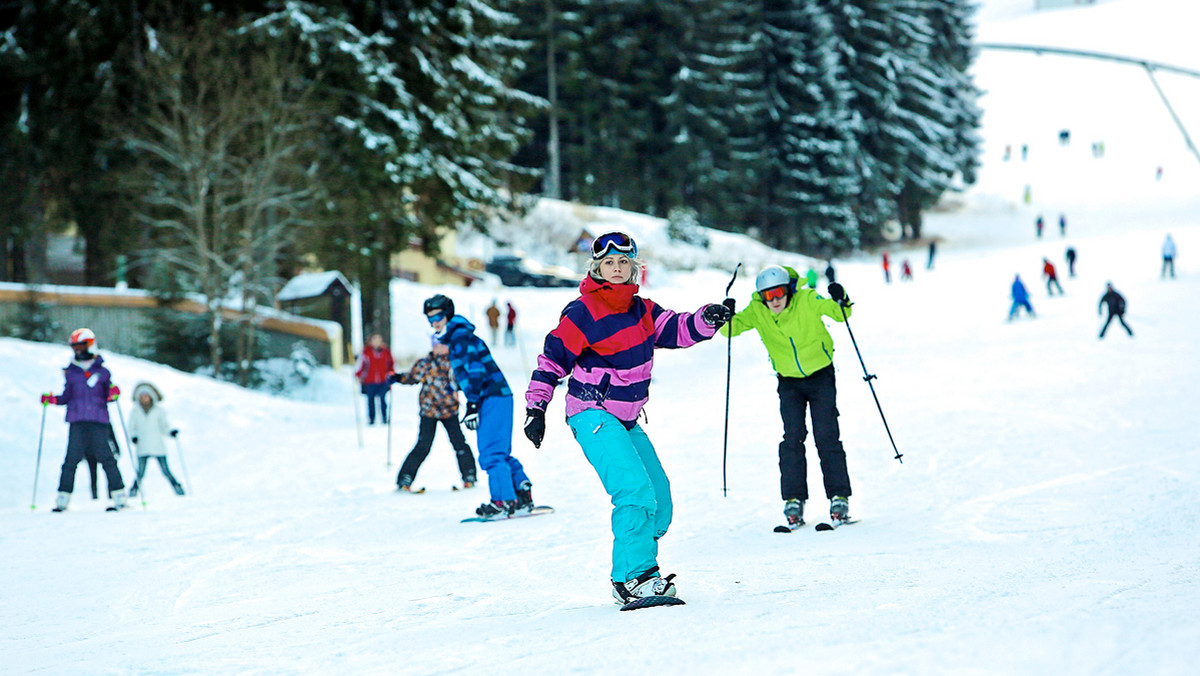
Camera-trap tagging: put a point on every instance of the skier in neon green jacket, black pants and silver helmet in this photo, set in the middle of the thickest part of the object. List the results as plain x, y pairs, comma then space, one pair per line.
789, 321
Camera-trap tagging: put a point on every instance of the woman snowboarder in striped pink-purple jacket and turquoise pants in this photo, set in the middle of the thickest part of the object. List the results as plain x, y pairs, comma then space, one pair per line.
605, 343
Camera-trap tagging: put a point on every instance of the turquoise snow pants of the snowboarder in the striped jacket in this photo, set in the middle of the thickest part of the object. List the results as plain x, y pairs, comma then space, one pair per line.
634, 478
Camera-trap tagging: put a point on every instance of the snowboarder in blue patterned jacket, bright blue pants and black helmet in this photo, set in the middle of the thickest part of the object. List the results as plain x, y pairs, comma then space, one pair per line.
489, 410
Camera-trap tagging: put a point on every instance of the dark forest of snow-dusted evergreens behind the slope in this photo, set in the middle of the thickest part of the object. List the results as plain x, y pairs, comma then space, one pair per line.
220, 147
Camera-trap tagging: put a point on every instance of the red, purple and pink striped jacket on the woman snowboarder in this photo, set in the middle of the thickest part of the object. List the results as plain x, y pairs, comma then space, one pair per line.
605, 342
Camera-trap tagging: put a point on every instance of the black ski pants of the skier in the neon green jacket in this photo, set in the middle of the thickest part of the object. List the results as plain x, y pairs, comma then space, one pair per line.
818, 394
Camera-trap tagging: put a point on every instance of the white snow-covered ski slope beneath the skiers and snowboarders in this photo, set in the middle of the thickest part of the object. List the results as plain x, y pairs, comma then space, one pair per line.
1045, 519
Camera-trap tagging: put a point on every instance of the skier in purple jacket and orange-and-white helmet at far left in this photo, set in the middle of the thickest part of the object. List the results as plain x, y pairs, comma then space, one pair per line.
88, 390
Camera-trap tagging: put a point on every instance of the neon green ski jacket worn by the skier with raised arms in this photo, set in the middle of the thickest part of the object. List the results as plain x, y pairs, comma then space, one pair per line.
796, 339
